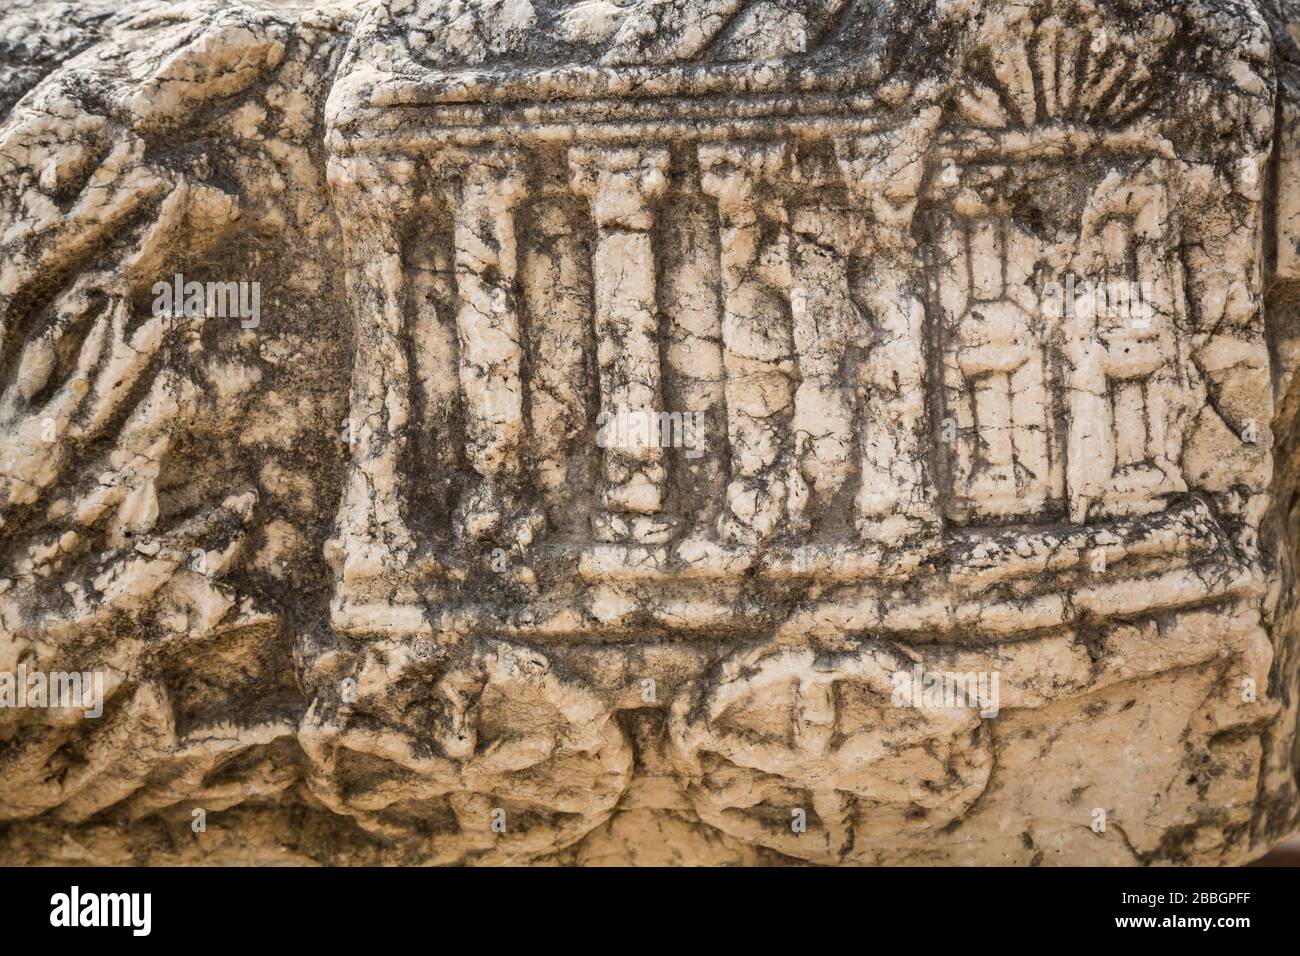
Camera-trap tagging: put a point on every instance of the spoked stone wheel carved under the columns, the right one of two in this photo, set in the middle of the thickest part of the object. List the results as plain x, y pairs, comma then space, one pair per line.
778, 733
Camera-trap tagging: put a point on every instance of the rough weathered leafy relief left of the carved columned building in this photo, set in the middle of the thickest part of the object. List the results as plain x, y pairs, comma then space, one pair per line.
112, 569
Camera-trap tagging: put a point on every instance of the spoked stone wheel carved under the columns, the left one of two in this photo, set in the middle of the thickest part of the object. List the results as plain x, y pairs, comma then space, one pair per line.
483, 755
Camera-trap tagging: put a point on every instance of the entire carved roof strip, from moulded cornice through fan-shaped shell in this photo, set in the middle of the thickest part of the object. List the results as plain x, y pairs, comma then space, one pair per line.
1185, 79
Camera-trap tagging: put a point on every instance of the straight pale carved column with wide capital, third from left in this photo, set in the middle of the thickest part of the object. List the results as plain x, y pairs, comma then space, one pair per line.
623, 187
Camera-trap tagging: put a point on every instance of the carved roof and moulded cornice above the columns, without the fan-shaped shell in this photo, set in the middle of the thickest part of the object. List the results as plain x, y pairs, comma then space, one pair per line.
539, 53
